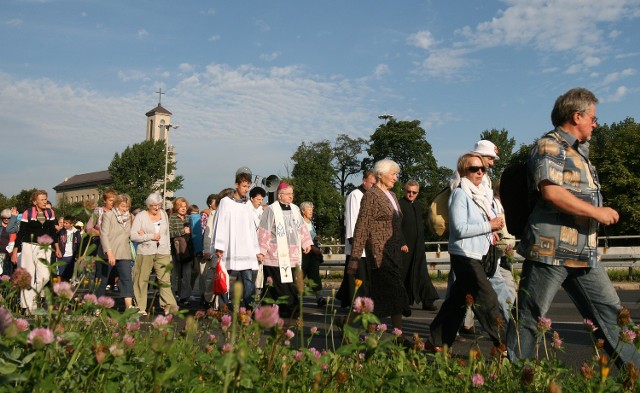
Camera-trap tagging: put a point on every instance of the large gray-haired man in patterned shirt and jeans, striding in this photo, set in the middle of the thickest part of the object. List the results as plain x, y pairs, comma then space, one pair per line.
560, 241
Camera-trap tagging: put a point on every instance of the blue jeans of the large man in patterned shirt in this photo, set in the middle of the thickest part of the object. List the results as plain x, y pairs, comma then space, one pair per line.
591, 291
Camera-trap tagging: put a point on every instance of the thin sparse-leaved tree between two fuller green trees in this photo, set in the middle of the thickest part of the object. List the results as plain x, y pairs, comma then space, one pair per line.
345, 159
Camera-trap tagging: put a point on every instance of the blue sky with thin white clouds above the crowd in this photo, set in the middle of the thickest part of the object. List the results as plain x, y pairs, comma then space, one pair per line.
248, 81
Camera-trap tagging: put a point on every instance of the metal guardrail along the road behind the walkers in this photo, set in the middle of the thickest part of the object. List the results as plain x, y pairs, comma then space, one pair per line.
439, 263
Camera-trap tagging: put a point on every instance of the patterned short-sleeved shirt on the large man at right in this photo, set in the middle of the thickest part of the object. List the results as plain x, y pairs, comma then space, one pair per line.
553, 237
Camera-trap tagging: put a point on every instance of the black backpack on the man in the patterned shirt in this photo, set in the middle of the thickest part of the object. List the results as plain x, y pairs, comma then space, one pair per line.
517, 198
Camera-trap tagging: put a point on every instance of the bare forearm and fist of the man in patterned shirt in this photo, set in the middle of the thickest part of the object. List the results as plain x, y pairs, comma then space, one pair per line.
568, 203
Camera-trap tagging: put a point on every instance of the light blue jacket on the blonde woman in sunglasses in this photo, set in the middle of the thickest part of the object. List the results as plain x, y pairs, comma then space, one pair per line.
469, 231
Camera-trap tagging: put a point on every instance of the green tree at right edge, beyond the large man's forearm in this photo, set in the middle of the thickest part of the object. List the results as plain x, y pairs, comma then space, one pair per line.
615, 152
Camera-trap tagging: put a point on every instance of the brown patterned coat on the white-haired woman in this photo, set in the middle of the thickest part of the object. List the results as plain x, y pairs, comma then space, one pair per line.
378, 229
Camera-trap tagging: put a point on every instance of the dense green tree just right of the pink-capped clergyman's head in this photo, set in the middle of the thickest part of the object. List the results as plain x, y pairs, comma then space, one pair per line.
313, 177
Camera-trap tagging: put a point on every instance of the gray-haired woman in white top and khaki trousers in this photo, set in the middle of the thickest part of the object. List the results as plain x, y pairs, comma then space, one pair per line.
150, 230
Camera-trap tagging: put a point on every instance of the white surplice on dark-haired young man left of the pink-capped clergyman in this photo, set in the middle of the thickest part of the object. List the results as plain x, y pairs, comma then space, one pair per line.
234, 233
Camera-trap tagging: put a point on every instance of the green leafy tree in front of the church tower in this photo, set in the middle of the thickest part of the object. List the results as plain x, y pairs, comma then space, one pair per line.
139, 171
